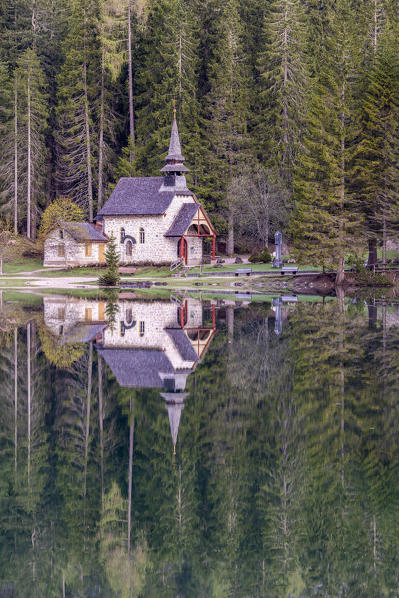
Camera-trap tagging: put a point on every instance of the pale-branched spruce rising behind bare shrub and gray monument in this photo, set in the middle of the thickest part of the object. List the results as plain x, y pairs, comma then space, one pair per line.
283, 76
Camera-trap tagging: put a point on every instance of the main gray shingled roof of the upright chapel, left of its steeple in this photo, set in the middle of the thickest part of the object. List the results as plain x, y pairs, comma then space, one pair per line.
137, 196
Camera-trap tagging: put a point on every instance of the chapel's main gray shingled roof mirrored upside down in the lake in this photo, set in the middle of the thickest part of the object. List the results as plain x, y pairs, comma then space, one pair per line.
137, 367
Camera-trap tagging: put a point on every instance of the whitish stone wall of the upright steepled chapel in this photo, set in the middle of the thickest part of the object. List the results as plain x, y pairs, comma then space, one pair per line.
156, 249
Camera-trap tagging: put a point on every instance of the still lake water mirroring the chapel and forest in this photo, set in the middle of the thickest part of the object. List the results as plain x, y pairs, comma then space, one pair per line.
158, 448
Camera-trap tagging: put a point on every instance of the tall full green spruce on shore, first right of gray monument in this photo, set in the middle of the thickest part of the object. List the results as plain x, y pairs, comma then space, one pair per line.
324, 223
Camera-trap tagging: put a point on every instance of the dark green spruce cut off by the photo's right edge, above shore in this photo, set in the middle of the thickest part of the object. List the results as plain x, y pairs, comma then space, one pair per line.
376, 172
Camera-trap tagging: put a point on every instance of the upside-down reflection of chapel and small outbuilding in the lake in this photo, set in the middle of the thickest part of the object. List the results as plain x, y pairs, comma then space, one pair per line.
155, 344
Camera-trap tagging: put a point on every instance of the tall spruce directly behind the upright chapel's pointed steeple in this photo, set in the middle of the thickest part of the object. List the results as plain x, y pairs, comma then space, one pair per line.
168, 77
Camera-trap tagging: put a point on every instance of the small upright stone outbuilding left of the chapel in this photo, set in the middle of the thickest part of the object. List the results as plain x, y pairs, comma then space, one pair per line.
74, 244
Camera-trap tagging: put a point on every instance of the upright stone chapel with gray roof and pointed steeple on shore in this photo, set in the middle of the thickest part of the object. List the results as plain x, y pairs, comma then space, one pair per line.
157, 219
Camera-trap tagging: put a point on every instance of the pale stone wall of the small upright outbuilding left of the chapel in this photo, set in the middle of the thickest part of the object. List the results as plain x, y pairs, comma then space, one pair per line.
75, 253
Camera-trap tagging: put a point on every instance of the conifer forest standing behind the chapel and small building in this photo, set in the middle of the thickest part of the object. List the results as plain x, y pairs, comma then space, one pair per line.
287, 110
